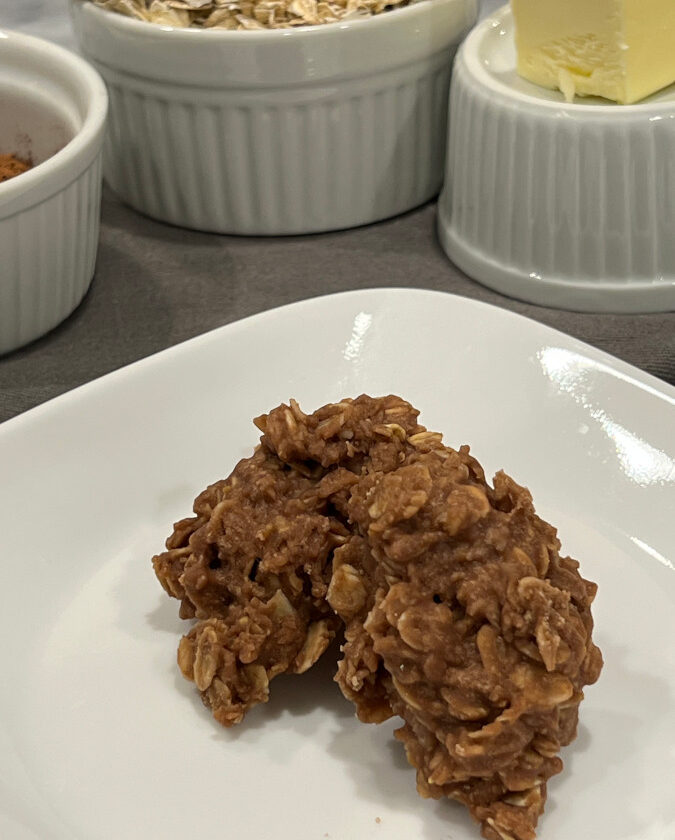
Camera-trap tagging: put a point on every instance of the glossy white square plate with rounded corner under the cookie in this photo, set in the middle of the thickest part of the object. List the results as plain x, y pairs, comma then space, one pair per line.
102, 739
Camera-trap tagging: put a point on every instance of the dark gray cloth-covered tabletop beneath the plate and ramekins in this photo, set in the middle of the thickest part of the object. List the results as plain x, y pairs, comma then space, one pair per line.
157, 285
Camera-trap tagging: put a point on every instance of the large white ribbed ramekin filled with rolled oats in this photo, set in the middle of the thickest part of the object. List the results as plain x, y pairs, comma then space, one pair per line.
276, 131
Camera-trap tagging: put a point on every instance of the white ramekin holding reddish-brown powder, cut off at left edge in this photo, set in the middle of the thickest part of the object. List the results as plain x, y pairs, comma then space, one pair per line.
53, 109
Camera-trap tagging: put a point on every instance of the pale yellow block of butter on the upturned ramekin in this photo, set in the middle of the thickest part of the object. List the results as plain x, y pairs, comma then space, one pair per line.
623, 50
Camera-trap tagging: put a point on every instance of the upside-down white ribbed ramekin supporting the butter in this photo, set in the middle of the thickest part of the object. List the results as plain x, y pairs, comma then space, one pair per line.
565, 205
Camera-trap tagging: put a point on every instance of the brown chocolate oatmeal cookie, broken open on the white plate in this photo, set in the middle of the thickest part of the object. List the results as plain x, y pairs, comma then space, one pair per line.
459, 614
